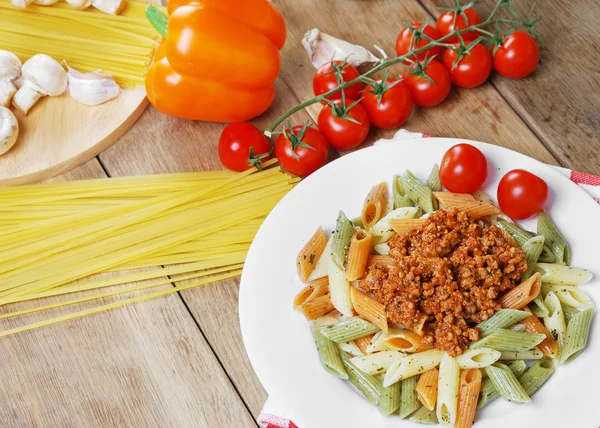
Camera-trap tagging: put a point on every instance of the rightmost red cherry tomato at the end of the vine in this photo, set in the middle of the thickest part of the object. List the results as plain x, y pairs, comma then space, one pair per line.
517, 56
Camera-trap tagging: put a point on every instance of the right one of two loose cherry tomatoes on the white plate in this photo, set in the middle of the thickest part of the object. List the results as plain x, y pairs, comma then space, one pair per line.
521, 194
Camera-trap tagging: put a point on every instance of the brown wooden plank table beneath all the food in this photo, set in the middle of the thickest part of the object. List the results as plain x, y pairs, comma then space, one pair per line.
179, 361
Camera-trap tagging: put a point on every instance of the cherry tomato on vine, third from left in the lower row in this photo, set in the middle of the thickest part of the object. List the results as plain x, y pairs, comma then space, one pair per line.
341, 133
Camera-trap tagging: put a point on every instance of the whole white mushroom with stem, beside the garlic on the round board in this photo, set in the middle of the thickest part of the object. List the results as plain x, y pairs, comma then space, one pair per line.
42, 76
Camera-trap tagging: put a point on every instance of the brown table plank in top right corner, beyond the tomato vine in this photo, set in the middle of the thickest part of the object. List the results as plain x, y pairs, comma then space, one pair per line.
560, 100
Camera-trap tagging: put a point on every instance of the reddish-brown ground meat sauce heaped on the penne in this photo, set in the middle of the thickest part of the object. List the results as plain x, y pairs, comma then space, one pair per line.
449, 274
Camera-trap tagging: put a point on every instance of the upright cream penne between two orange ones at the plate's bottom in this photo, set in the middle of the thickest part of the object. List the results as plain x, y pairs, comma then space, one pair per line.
448, 385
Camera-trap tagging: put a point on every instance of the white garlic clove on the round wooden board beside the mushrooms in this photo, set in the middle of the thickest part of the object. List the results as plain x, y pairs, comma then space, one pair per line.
92, 88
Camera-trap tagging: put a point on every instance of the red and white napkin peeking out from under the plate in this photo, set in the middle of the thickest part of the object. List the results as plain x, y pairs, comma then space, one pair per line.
588, 182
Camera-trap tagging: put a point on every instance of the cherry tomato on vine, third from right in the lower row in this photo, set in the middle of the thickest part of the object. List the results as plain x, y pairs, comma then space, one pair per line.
424, 93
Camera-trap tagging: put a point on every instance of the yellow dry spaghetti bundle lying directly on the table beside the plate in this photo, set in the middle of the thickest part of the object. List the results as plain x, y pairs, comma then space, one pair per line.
182, 233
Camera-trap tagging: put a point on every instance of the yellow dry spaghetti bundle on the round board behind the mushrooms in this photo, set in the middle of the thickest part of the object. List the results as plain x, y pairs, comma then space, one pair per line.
88, 40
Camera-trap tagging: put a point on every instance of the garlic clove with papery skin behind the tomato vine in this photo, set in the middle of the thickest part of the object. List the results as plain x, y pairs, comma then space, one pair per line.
322, 48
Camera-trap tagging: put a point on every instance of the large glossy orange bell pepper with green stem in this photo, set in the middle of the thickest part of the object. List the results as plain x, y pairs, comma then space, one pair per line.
219, 61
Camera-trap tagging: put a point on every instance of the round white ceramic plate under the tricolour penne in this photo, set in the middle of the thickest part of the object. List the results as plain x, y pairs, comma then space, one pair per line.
278, 340
